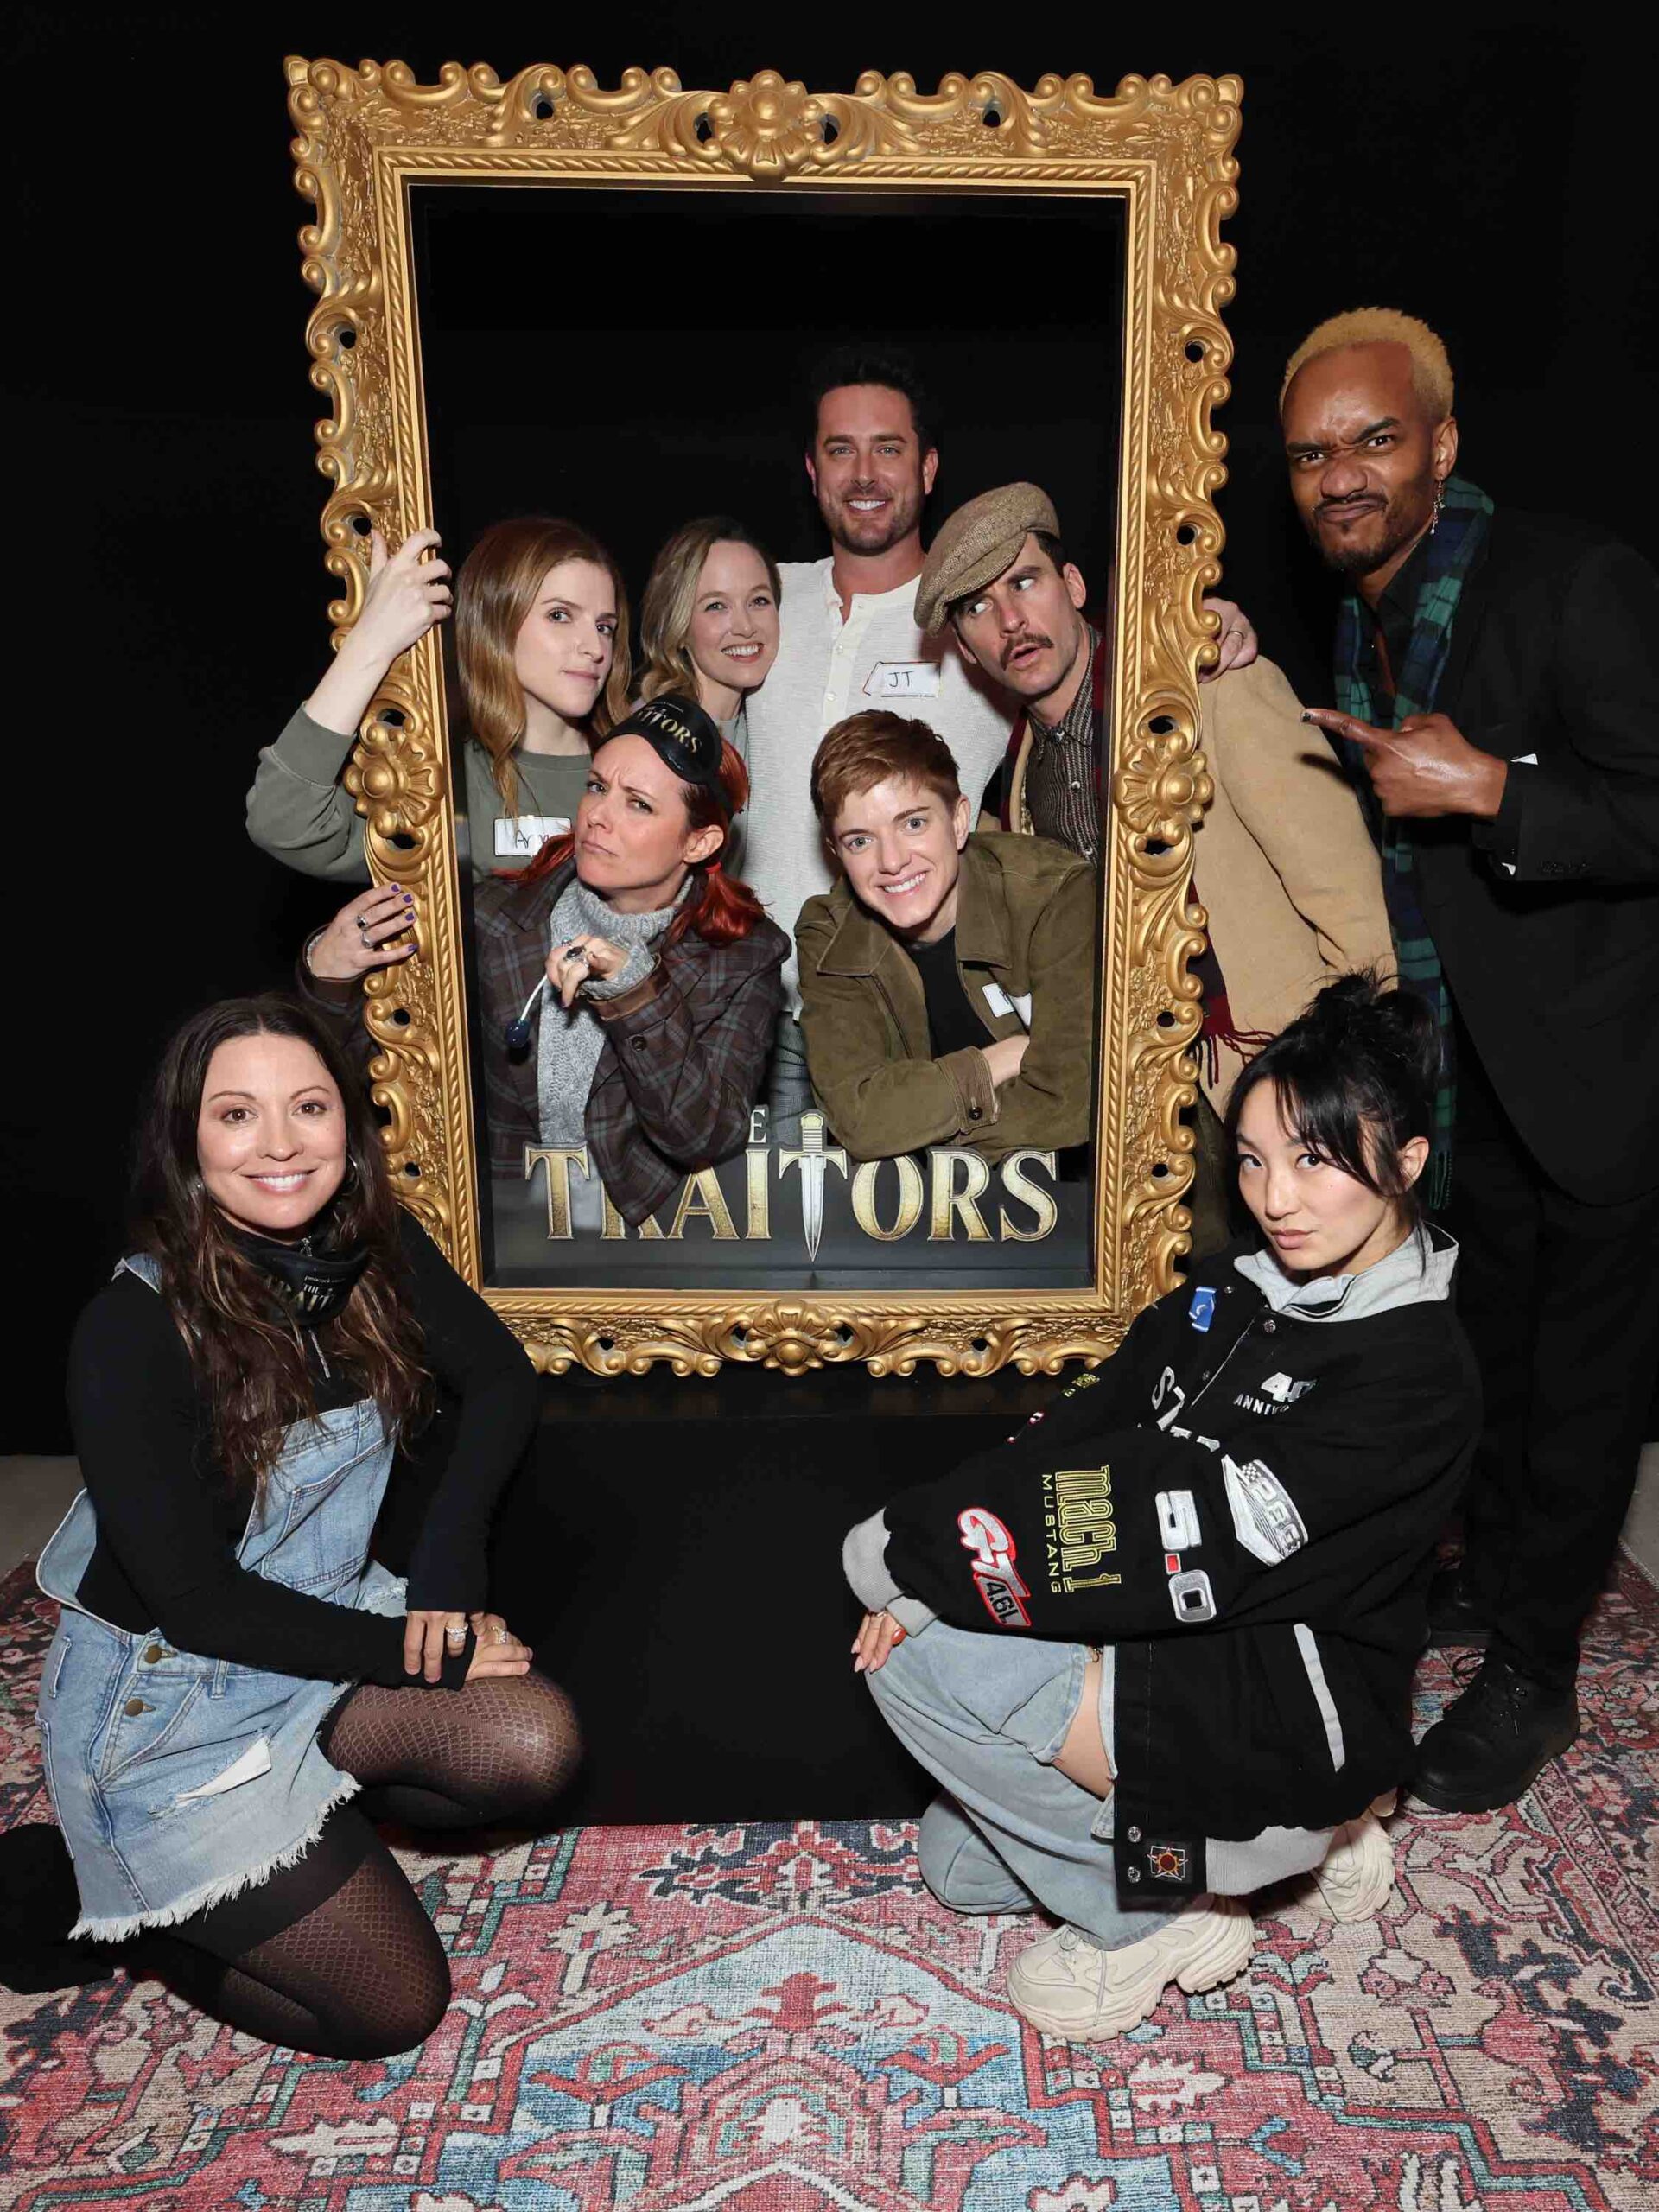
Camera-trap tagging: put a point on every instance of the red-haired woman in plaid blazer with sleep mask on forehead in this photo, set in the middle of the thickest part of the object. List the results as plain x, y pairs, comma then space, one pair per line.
629, 988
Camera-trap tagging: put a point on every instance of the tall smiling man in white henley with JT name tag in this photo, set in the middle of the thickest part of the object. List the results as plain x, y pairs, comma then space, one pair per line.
851, 645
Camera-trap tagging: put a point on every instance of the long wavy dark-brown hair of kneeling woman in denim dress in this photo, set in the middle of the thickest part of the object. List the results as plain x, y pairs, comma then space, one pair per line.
247, 1357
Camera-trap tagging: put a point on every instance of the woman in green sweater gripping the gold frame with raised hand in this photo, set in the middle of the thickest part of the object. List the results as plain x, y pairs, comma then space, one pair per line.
543, 651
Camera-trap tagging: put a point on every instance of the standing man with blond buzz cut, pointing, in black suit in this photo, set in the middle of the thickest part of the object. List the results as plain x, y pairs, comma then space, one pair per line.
1499, 707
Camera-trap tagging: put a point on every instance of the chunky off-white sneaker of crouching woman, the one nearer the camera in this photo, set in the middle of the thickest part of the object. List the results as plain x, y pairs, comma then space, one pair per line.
1072, 1987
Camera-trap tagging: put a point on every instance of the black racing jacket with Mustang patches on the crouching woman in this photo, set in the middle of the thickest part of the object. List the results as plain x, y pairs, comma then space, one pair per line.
1244, 1503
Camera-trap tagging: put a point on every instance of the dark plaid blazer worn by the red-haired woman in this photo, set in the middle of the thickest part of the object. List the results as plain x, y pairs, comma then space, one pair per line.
685, 1052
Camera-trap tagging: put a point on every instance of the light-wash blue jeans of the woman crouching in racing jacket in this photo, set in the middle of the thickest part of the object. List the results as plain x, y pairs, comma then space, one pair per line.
988, 1715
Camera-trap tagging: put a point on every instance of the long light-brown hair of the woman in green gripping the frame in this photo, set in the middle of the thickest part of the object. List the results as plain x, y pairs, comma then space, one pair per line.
494, 594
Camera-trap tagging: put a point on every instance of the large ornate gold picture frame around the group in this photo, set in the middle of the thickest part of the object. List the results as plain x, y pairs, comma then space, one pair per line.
1167, 152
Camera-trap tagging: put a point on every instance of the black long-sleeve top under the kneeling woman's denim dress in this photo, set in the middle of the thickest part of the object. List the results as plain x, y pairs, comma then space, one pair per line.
169, 1523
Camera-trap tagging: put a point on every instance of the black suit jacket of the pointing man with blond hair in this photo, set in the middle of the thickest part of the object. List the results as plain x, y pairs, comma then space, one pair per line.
1547, 919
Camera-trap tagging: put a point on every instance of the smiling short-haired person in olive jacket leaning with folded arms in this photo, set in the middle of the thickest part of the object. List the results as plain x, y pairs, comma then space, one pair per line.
948, 983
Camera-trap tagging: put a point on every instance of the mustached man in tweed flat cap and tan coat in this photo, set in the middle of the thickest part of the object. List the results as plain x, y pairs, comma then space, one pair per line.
1282, 859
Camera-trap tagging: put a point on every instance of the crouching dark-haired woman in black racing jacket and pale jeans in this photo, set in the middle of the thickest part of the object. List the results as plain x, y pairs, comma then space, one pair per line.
1167, 1634
